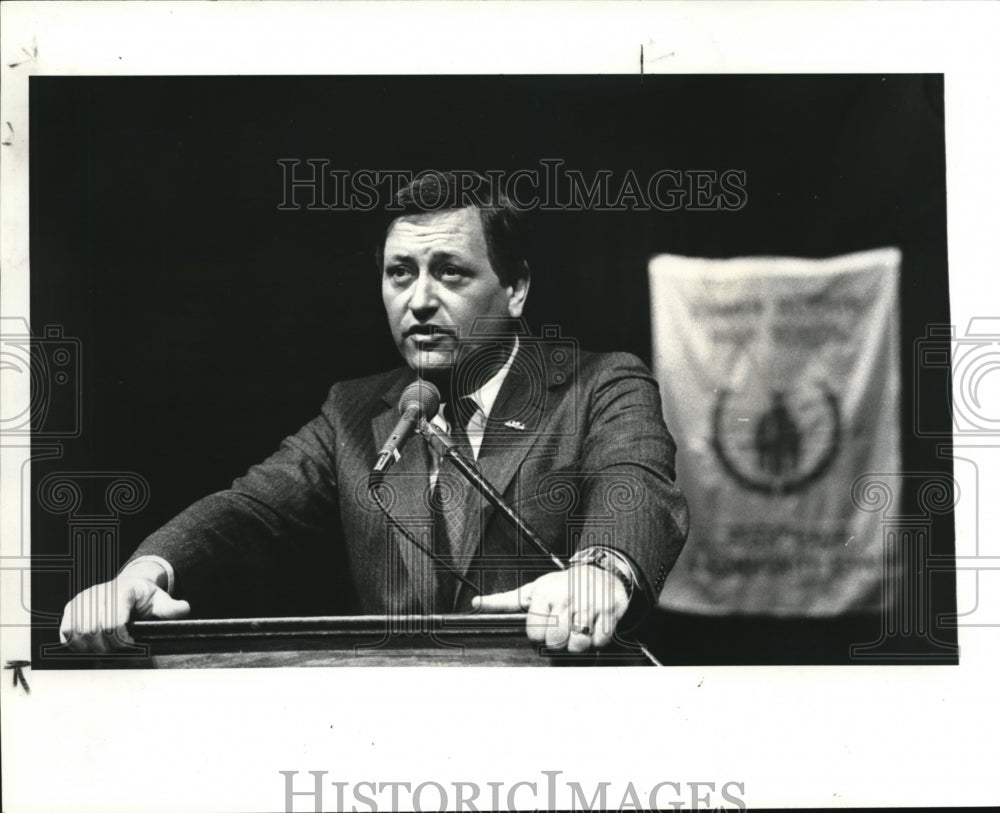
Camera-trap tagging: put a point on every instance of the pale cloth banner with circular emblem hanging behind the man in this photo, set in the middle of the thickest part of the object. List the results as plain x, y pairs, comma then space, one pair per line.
780, 383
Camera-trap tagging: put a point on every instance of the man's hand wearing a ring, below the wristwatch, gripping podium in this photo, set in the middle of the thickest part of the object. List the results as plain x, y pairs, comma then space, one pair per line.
575, 609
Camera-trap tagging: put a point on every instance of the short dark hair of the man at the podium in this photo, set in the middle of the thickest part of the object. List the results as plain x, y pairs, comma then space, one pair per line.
503, 223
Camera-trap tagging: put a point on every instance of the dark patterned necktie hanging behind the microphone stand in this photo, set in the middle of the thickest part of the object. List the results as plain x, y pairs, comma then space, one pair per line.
450, 504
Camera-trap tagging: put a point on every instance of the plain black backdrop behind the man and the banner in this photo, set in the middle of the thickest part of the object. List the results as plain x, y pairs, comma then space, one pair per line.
212, 324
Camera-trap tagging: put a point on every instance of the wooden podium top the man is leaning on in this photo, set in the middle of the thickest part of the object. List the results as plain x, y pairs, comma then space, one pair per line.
409, 640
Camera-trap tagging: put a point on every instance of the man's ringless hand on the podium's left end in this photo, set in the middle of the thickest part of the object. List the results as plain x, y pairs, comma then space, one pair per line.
94, 620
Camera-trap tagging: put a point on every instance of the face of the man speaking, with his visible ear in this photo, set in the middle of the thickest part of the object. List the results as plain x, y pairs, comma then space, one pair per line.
436, 281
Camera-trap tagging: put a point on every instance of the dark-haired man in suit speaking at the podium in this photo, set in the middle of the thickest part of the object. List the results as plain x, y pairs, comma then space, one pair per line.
574, 441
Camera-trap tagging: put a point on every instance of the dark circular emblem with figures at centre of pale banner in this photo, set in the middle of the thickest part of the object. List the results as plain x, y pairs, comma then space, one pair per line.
777, 441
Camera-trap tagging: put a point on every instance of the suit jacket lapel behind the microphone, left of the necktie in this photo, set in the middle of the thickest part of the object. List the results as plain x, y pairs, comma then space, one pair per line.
406, 484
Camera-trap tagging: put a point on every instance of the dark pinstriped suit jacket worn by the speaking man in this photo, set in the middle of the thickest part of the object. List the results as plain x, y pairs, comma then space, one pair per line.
575, 442
